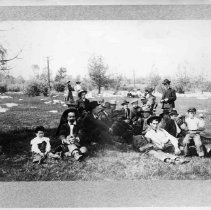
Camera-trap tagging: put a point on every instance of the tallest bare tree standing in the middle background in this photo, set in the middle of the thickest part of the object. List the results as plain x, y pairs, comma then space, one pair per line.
98, 72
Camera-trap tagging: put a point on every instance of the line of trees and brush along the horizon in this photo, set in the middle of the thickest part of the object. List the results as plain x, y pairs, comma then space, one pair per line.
99, 78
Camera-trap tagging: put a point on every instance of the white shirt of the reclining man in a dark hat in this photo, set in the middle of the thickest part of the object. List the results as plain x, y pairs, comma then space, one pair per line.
159, 137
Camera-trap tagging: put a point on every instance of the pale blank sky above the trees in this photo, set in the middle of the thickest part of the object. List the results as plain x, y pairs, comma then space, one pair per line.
141, 46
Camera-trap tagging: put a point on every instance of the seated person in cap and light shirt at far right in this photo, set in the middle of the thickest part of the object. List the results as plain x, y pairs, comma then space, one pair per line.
194, 126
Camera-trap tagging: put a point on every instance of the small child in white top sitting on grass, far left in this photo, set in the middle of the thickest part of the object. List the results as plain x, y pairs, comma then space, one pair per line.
40, 146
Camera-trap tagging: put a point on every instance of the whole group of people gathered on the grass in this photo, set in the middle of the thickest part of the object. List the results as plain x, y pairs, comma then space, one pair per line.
86, 123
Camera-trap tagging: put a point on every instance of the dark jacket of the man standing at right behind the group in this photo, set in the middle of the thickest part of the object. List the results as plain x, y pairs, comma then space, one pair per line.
171, 95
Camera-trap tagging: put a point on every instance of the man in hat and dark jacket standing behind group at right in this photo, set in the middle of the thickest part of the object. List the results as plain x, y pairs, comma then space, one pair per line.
168, 97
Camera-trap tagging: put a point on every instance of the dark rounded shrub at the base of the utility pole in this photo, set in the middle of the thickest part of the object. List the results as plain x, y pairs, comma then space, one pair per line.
35, 88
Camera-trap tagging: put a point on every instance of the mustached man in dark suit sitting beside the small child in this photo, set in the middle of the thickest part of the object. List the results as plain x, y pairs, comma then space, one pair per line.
69, 135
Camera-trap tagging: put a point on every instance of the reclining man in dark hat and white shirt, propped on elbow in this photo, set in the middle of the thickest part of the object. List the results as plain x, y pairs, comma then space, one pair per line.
160, 143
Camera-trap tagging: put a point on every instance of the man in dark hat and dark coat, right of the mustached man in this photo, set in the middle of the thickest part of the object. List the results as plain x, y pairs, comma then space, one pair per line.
93, 129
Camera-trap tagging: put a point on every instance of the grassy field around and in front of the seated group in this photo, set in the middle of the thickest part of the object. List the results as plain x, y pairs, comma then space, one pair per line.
107, 162
